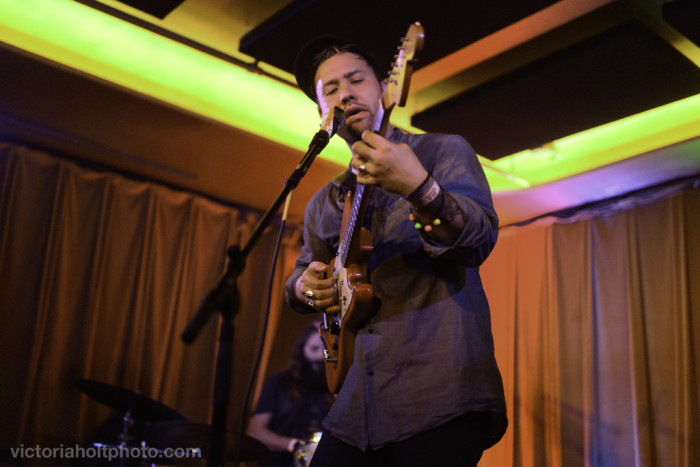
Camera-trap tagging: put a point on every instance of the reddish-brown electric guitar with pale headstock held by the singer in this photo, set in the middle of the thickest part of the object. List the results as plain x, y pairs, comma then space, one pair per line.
349, 267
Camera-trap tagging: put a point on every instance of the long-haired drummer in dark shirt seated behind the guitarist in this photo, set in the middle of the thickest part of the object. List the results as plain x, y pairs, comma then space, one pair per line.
293, 402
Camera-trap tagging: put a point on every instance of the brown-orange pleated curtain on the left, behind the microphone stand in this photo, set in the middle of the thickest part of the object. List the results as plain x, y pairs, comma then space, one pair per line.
99, 275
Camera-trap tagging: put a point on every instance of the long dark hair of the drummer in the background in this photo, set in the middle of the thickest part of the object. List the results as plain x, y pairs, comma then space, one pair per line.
300, 377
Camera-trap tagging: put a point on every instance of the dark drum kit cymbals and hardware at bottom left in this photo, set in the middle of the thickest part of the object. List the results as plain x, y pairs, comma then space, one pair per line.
157, 431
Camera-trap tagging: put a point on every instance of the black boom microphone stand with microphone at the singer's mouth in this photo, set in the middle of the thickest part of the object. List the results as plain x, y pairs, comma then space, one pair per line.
224, 296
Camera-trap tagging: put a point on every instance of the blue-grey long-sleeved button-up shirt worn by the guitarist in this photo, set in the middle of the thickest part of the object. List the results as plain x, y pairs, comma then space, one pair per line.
427, 354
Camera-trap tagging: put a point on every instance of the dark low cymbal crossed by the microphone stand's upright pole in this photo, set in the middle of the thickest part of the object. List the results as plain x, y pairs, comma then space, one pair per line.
183, 434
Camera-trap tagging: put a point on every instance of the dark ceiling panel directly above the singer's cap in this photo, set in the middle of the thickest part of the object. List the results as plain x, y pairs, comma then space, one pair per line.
377, 26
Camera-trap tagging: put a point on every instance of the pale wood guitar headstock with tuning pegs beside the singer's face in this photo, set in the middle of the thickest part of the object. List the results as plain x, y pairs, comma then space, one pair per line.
399, 79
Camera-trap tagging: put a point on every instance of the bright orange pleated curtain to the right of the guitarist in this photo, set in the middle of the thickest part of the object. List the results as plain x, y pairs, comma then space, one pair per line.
597, 326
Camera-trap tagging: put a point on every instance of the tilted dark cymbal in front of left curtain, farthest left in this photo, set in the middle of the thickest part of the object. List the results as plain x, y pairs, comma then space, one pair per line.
122, 400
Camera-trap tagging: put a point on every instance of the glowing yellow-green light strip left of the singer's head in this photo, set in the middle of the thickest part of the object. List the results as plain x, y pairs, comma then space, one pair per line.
88, 40
